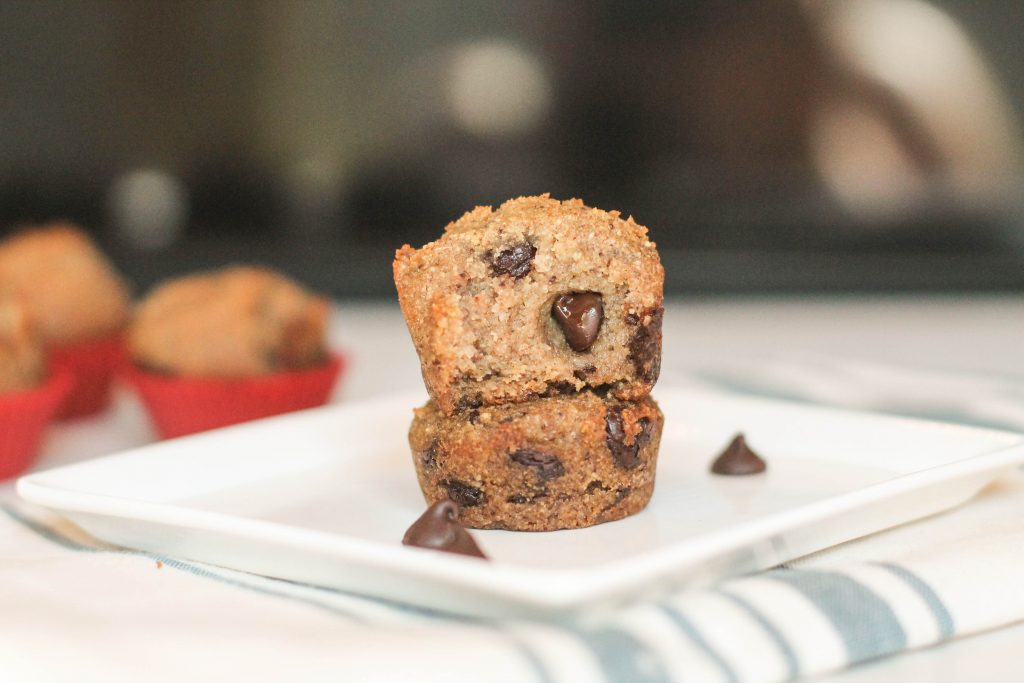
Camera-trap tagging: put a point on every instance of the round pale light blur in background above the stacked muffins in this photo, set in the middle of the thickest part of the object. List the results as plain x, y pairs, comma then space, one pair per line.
497, 89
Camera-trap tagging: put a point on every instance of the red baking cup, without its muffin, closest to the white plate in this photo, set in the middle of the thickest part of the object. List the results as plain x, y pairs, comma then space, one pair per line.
181, 406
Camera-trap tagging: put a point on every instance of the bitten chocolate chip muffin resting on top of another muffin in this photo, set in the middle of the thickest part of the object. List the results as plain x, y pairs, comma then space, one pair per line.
539, 298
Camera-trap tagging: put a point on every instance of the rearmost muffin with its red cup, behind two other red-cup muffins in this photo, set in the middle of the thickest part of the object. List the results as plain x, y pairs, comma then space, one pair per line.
78, 303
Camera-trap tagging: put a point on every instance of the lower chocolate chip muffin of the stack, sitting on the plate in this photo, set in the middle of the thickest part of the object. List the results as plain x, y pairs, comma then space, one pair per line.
564, 462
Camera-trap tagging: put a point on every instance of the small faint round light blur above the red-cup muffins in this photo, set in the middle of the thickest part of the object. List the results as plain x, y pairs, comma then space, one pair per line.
149, 208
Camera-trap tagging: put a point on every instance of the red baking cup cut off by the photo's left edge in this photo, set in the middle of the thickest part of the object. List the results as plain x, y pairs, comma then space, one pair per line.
24, 417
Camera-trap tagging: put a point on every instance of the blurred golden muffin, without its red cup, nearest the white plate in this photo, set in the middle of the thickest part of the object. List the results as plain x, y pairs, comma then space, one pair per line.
236, 323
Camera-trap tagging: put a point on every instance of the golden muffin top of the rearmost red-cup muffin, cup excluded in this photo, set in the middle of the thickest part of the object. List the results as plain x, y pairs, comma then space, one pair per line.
71, 289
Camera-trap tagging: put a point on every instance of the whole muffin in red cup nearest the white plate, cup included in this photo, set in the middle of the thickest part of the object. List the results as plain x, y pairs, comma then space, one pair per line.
229, 347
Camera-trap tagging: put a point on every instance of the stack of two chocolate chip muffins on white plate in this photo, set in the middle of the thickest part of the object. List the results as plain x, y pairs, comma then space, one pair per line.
539, 331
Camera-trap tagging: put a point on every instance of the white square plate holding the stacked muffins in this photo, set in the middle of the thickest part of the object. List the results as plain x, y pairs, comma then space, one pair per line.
325, 497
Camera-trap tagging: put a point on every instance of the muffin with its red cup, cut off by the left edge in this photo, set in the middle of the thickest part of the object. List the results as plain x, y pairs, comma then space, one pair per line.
29, 396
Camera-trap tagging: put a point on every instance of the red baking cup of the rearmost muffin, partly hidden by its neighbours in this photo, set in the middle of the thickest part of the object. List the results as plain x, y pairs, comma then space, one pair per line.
93, 366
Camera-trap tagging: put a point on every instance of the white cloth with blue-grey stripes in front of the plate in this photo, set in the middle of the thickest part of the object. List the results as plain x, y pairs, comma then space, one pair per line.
74, 610
